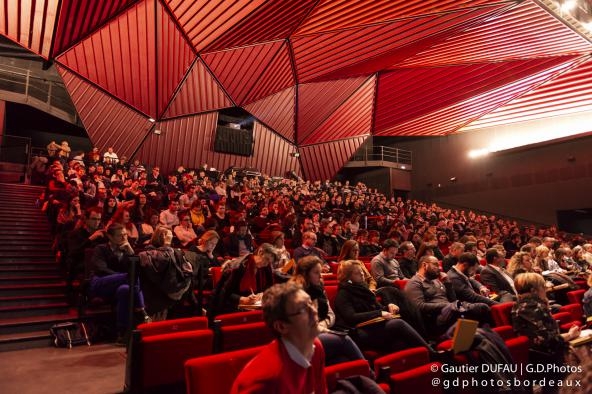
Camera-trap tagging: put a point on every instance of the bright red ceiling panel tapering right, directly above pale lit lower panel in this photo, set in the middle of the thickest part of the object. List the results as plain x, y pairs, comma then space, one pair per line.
407, 94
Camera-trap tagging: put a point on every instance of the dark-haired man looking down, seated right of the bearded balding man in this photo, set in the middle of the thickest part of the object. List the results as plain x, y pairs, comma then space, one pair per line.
466, 288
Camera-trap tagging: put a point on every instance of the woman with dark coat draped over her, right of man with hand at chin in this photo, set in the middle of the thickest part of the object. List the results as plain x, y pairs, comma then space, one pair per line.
165, 274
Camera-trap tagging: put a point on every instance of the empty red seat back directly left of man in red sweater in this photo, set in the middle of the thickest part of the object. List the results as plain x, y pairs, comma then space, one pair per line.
216, 373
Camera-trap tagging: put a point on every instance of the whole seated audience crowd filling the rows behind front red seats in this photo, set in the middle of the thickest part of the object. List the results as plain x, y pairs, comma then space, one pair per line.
266, 230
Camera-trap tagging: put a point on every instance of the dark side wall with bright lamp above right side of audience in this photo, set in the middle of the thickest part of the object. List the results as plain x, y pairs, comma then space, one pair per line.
529, 184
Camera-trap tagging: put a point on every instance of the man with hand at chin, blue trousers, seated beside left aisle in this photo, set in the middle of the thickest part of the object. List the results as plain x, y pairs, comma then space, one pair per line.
109, 276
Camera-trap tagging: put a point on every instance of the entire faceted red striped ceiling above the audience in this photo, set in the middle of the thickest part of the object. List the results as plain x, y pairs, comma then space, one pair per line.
312, 71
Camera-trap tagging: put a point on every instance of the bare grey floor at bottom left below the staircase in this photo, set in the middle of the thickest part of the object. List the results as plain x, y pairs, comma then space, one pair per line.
96, 369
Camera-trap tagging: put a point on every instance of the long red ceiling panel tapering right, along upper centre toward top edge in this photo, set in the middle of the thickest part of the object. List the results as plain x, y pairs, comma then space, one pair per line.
363, 51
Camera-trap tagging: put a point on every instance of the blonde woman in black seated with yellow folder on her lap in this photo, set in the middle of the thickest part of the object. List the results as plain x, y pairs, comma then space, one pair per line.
356, 304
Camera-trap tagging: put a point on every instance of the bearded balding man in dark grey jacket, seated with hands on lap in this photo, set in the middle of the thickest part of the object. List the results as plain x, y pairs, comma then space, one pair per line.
433, 295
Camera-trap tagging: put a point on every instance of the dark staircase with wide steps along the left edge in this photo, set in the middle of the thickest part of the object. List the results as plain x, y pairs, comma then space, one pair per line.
32, 291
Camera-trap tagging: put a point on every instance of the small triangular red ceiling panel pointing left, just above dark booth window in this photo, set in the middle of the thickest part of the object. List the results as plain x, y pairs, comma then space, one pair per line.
277, 111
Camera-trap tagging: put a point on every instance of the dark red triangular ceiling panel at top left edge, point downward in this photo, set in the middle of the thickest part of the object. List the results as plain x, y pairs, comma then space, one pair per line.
80, 18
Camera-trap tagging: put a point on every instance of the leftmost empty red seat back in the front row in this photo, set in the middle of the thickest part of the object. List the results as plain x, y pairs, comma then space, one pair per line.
162, 357
